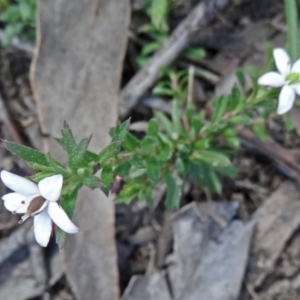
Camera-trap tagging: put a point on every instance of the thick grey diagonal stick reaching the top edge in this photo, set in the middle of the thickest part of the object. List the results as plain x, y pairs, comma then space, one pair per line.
200, 16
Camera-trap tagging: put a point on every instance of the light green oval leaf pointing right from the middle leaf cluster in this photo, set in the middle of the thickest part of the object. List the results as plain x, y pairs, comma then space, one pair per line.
212, 158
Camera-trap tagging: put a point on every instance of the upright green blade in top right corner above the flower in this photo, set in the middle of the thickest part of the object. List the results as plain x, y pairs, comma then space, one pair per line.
292, 24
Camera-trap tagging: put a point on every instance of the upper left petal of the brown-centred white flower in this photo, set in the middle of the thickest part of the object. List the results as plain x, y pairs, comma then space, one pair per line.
19, 184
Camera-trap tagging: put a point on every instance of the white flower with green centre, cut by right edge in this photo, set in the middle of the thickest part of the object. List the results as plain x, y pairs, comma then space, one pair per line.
287, 78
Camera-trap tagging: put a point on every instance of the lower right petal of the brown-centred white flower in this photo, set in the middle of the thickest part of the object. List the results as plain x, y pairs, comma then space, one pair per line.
60, 218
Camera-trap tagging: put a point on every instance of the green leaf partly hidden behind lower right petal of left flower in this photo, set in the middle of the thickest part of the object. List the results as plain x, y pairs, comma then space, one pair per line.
68, 201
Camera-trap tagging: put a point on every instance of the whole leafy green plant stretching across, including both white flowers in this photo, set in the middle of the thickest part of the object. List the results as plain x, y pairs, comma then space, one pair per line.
187, 145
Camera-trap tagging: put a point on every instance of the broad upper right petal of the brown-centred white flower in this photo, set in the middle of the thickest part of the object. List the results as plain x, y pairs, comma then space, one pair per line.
50, 187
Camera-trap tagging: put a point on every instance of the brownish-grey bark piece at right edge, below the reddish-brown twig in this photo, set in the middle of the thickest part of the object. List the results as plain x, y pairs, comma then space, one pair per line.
276, 221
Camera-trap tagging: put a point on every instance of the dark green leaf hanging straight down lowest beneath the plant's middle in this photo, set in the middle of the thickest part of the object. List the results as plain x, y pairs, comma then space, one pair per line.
174, 190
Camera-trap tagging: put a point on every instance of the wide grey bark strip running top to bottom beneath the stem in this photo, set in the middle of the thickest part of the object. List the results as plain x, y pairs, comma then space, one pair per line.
75, 77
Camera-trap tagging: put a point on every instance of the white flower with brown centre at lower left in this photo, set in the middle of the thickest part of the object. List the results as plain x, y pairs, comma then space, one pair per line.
38, 200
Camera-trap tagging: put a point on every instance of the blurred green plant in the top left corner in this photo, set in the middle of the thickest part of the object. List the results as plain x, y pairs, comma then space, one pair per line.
19, 20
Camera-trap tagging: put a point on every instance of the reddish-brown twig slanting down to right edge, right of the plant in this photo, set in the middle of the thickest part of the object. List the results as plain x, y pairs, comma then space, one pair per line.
286, 161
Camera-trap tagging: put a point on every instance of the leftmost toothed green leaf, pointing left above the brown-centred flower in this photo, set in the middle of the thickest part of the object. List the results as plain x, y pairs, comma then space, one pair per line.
27, 154
